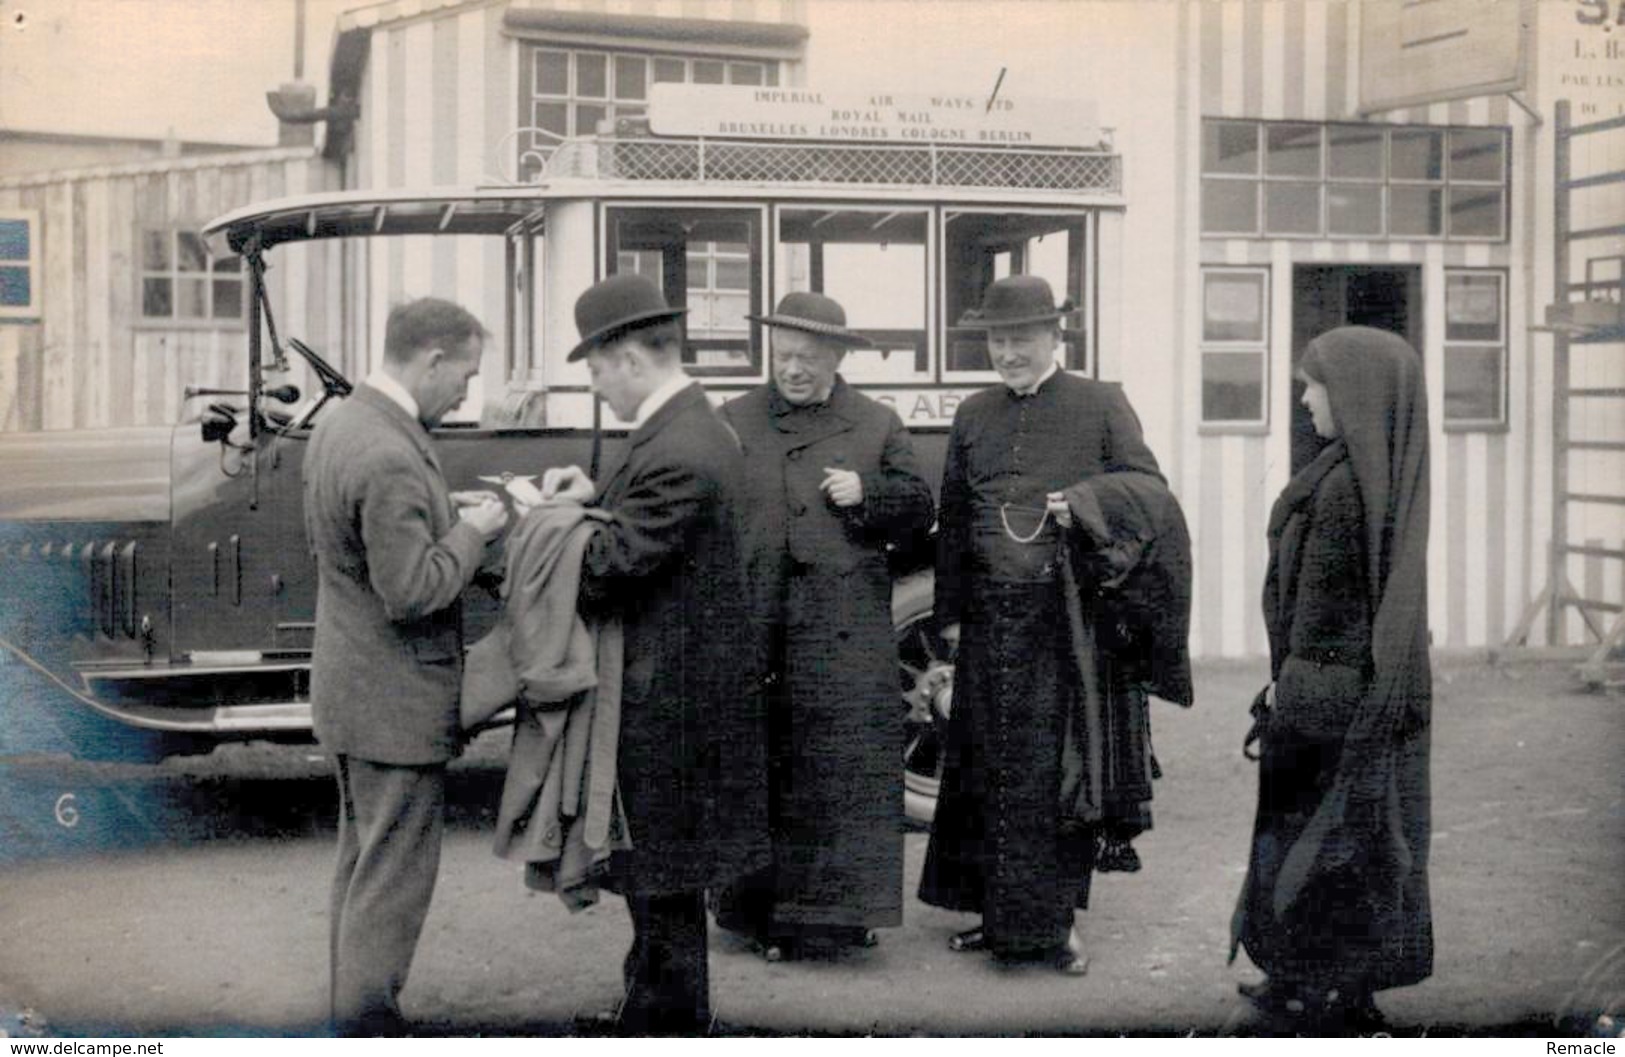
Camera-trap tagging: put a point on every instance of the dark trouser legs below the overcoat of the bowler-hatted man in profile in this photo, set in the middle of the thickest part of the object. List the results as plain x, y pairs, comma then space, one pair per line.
667, 972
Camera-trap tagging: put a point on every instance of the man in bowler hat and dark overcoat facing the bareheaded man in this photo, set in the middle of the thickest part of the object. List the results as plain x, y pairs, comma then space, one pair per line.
691, 765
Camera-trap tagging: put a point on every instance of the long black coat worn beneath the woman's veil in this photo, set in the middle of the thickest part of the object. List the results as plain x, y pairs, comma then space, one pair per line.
1317, 609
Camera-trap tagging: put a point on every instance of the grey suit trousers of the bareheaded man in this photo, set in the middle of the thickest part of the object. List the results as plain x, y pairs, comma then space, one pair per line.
391, 822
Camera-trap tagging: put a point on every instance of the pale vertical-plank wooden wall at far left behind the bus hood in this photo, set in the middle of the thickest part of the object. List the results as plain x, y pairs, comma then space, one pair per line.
90, 360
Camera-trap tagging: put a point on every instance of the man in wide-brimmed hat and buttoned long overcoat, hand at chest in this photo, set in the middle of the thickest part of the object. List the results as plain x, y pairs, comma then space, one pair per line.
831, 485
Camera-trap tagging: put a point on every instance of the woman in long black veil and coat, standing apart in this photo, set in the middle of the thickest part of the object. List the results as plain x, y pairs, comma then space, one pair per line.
1337, 897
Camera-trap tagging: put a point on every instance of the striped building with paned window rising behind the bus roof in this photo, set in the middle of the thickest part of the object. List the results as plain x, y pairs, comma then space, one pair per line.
479, 92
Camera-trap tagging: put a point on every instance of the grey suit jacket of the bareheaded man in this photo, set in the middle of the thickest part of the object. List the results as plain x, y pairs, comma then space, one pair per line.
392, 563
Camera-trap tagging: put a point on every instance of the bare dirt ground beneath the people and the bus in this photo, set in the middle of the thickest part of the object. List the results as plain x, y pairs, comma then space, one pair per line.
191, 897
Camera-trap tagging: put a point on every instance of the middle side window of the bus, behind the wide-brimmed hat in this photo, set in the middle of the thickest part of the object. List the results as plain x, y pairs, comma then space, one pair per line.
875, 264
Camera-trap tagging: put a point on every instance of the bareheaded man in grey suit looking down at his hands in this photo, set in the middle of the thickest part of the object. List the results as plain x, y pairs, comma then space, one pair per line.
394, 555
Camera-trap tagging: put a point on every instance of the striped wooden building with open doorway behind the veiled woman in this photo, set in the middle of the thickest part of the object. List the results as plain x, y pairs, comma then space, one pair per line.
1447, 240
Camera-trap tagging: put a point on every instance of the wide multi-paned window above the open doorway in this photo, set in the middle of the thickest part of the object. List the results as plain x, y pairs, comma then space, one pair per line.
1354, 181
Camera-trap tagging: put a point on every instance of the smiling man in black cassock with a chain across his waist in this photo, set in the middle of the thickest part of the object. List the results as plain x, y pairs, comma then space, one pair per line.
1020, 456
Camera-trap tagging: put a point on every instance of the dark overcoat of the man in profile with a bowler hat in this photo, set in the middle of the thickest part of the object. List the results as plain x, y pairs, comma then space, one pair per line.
693, 760
